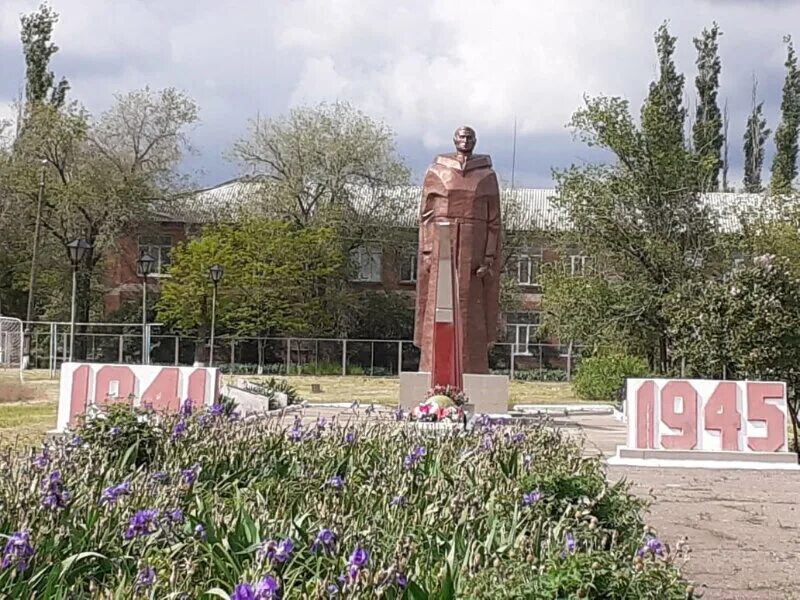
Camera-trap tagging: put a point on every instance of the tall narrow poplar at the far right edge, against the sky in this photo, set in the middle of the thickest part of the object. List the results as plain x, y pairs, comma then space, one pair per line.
784, 164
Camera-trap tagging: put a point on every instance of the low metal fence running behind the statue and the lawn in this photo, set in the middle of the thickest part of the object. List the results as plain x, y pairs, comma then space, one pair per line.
122, 343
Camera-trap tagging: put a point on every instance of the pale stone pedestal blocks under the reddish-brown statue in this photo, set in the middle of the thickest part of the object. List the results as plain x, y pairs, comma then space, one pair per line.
488, 394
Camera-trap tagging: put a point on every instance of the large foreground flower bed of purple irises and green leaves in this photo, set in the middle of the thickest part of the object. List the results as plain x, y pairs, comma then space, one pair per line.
211, 506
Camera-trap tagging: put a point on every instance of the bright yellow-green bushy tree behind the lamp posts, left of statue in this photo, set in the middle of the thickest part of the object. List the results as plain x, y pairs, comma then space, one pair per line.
278, 280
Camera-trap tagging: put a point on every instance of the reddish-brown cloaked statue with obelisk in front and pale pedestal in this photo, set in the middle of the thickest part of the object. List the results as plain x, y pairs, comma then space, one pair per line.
458, 277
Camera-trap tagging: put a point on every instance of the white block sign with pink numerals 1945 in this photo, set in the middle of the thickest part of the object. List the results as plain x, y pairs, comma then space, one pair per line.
706, 415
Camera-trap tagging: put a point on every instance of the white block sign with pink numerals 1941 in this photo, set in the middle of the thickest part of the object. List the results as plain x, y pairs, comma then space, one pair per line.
84, 385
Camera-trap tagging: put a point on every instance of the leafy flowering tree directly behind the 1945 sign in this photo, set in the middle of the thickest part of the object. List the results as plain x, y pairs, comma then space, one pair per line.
743, 326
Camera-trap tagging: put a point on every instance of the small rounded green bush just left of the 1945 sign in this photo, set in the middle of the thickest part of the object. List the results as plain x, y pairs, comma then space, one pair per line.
602, 378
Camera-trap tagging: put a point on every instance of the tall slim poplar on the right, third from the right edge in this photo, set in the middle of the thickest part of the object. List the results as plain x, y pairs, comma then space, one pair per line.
707, 133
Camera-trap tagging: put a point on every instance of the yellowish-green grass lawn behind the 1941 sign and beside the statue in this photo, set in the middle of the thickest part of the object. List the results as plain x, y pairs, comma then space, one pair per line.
29, 410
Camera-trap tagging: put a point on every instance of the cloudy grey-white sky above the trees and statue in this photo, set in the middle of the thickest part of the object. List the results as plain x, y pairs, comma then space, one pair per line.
423, 66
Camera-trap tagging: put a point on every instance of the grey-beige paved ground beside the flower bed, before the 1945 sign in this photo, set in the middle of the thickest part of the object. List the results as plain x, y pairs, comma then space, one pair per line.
742, 526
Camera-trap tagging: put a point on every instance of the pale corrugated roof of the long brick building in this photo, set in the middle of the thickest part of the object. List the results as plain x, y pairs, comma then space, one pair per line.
525, 208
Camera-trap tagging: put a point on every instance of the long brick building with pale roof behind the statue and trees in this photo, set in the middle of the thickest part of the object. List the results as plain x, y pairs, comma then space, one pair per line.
532, 210
